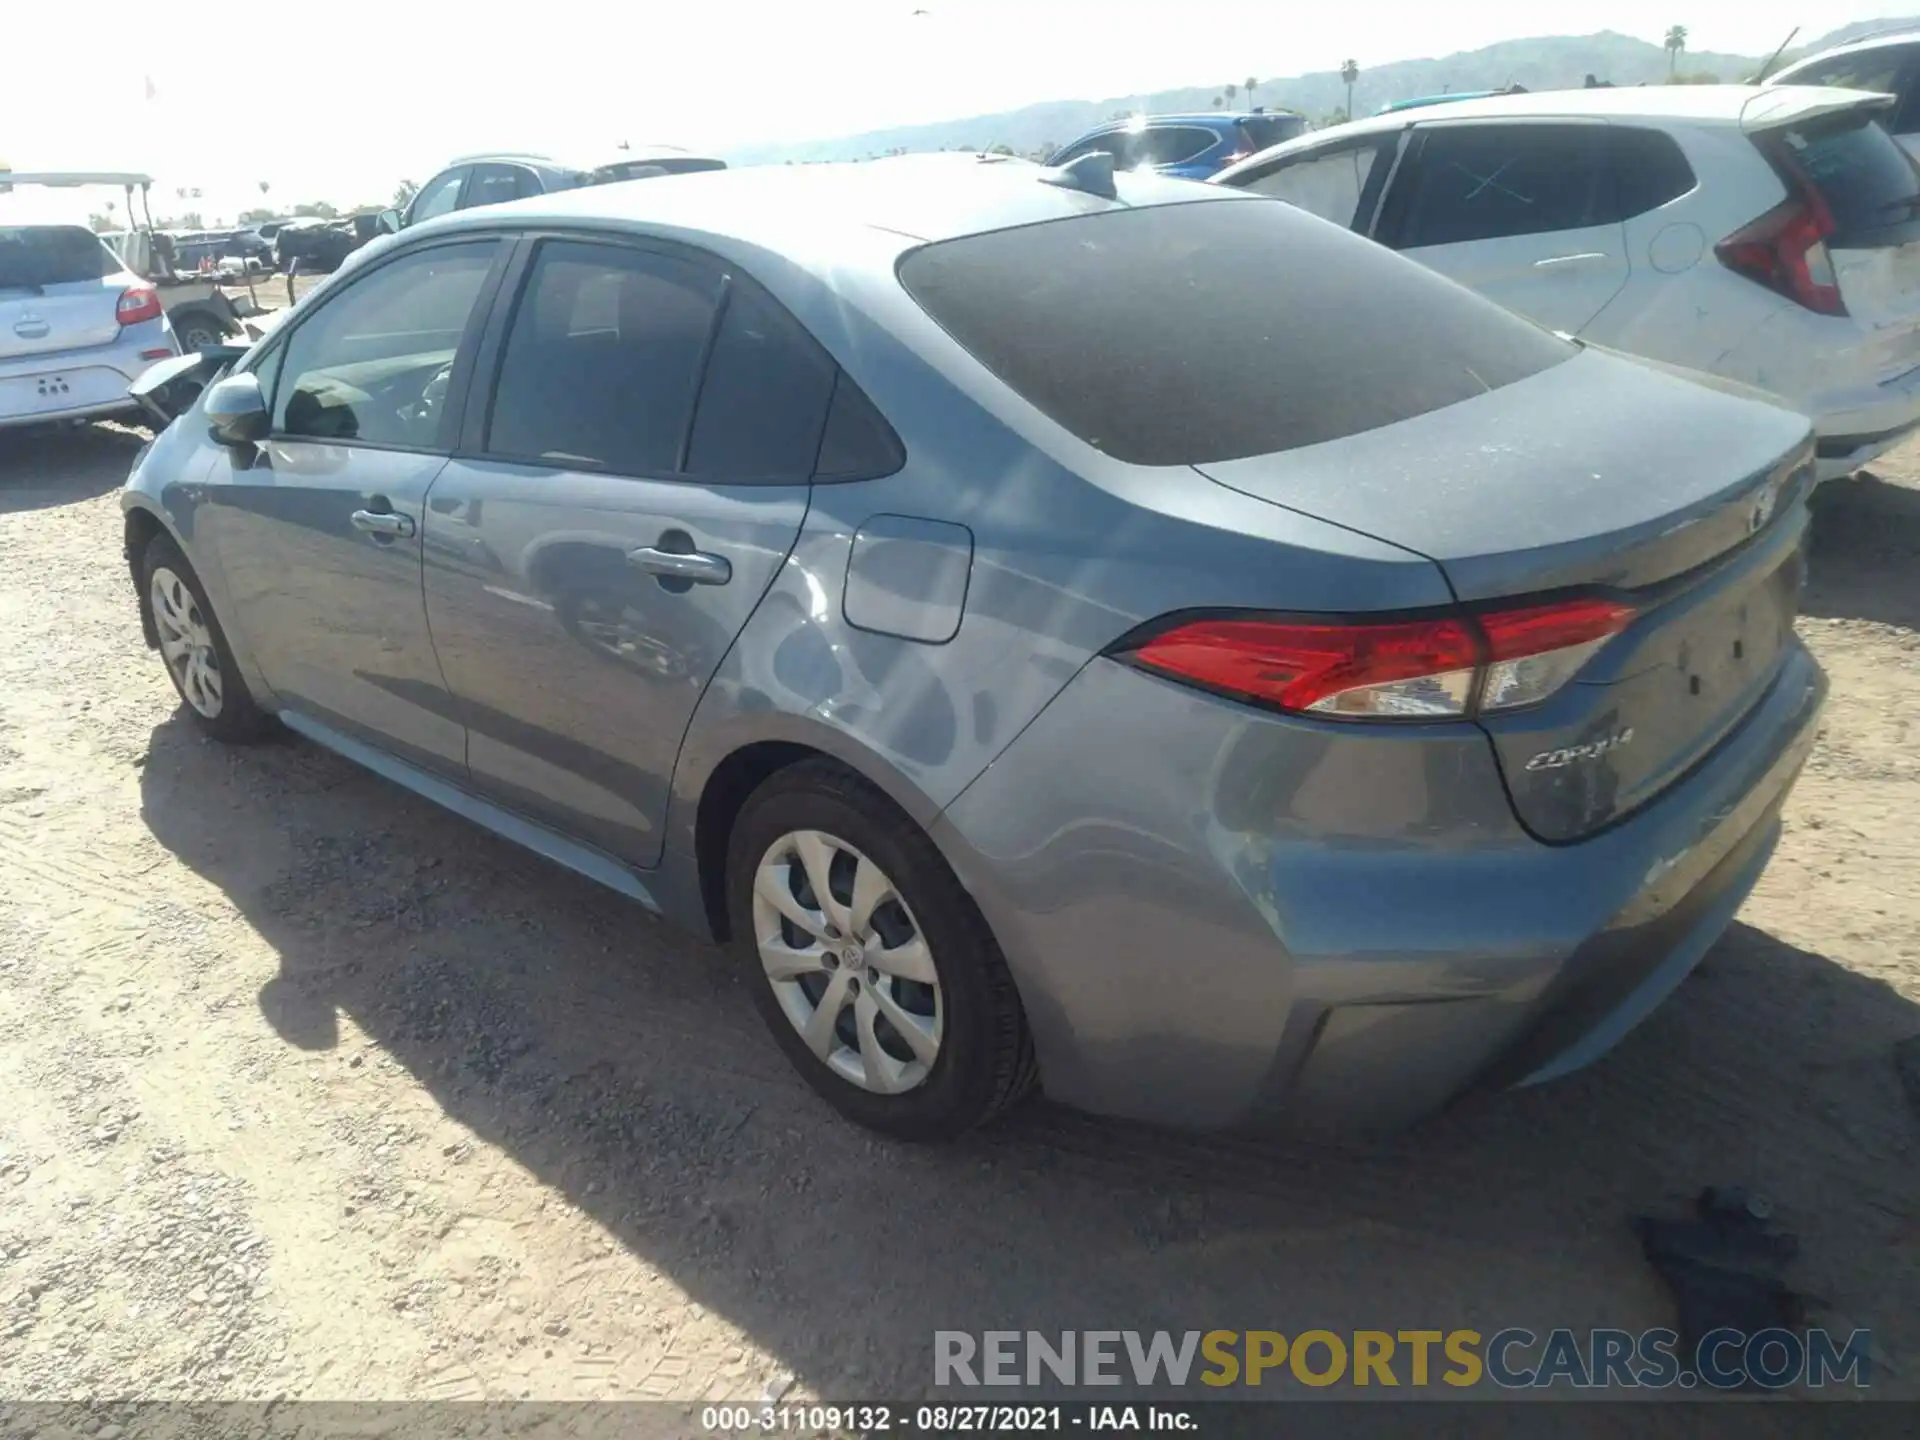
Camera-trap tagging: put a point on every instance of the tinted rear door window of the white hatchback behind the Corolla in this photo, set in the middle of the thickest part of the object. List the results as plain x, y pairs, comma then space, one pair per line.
1487, 181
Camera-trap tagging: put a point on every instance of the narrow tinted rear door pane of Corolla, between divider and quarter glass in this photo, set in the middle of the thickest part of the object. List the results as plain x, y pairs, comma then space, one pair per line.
765, 398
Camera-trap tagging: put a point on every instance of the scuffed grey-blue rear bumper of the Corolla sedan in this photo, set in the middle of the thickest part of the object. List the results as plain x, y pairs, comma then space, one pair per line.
1280, 923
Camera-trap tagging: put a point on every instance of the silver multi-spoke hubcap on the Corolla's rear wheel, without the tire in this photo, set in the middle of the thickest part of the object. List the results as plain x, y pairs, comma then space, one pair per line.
848, 963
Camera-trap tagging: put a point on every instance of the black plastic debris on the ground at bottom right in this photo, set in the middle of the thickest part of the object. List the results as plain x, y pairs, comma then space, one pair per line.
1725, 1268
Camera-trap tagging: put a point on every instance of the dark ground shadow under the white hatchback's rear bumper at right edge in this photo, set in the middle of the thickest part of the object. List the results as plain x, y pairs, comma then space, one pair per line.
1865, 552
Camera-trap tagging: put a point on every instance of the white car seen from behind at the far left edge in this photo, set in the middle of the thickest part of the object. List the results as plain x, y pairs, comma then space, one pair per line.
76, 327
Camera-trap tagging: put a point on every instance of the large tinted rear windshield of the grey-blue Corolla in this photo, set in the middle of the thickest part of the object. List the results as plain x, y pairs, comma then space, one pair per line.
1211, 331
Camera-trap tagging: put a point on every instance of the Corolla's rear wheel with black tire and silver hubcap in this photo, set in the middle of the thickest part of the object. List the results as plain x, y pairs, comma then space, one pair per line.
871, 963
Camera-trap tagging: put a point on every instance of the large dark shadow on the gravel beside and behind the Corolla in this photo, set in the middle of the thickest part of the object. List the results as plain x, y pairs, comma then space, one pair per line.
625, 1068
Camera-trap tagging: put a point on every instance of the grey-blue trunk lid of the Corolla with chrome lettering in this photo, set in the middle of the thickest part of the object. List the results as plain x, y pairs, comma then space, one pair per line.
1598, 475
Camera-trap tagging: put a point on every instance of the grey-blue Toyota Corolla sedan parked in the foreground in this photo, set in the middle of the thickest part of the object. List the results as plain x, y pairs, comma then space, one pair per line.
1055, 627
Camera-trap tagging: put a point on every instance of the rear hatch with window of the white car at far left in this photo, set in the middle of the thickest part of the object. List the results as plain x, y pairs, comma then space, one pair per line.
60, 289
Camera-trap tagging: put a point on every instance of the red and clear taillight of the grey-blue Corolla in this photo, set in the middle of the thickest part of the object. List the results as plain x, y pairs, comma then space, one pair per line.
1403, 671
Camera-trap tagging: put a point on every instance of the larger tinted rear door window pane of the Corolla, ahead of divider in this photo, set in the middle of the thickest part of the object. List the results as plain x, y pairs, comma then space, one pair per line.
604, 358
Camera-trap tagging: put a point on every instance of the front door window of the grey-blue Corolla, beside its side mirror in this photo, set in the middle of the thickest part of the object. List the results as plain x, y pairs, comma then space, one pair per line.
375, 364
